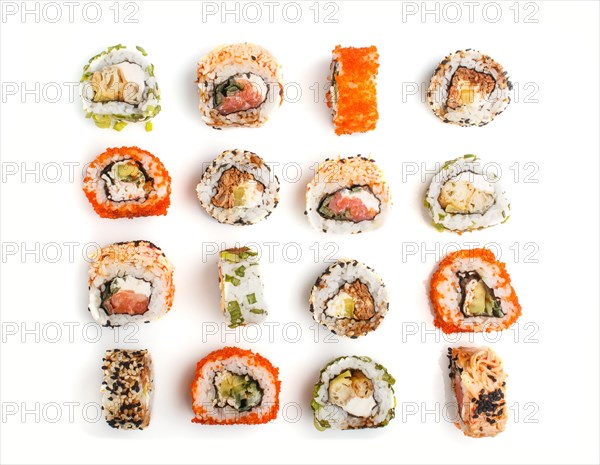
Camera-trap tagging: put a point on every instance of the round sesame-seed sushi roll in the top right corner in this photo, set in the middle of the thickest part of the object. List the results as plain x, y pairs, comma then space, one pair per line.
469, 89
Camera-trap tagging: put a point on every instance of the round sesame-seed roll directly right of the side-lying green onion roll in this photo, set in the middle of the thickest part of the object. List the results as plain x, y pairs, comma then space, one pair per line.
349, 299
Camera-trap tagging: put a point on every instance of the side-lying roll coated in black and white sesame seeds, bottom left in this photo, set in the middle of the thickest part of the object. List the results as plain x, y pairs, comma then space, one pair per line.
127, 388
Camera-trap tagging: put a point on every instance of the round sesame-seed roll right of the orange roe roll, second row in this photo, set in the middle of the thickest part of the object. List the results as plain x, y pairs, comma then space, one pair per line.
238, 187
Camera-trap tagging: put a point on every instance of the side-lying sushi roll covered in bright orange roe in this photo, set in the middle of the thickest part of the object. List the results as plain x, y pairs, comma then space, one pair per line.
352, 94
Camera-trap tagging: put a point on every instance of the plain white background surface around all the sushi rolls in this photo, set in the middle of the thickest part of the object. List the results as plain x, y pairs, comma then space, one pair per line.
551, 355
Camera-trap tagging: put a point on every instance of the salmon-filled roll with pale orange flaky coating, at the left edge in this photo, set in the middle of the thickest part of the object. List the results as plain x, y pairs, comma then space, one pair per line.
130, 282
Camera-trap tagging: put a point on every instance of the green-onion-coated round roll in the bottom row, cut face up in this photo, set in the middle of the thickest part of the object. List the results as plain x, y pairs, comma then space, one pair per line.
353, 393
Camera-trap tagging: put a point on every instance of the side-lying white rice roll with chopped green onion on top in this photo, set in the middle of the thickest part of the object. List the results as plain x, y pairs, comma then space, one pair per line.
242, 299
